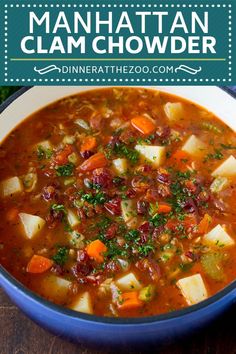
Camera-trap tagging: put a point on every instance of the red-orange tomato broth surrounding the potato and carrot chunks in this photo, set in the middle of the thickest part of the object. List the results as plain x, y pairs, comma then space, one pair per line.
103, 109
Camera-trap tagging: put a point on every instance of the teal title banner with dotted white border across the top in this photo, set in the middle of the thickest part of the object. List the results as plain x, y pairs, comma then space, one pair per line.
118, 42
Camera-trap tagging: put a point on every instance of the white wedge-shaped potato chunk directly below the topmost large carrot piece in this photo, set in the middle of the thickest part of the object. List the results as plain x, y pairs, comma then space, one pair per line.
153, 154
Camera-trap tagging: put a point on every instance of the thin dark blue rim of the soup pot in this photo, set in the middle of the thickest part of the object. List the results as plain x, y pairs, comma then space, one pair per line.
102, 320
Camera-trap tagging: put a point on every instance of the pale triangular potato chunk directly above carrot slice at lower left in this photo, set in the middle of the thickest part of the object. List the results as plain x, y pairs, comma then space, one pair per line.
32, 224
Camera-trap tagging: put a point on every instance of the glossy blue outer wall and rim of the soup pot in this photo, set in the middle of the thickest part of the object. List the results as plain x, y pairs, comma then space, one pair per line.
104, 331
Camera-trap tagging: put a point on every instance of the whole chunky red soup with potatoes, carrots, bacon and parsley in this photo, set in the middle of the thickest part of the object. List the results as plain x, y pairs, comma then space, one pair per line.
120, 202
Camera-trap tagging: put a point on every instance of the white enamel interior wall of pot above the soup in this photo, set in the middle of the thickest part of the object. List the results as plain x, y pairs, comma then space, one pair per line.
210, 97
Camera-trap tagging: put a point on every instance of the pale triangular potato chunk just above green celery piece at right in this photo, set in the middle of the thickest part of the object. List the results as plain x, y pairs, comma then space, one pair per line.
218, 237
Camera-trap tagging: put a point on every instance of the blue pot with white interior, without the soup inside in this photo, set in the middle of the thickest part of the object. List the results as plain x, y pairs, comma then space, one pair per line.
91, 329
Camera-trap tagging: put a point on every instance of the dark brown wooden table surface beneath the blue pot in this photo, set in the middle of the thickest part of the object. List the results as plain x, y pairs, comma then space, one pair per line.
19, 335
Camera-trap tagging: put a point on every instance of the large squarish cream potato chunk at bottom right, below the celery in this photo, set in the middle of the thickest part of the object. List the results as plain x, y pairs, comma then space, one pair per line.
193, 289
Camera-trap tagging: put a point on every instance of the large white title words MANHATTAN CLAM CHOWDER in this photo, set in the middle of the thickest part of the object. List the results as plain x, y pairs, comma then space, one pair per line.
118, 34
